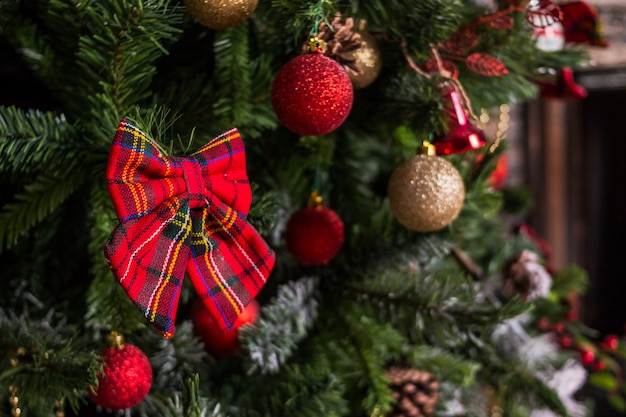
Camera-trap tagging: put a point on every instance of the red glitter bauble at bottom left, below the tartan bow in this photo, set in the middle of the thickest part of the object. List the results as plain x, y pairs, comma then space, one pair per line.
125, 380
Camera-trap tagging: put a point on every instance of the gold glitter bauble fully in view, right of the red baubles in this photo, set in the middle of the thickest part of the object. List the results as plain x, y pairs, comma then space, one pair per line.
426, 193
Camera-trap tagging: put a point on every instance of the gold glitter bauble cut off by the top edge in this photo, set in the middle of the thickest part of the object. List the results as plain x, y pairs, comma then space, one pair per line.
220, 14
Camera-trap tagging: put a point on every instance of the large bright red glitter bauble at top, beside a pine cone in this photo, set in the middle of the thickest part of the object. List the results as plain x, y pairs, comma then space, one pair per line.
312, 94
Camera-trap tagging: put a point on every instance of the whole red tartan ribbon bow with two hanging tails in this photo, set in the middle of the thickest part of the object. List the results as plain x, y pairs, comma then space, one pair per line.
182, 215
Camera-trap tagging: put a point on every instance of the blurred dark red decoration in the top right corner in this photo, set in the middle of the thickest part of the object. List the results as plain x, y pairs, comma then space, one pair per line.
582, 24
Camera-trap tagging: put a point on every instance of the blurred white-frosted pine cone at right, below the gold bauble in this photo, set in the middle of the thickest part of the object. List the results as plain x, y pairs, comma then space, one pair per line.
526, 277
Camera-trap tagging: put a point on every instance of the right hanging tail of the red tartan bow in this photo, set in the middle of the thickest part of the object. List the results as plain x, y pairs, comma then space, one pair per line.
229, 263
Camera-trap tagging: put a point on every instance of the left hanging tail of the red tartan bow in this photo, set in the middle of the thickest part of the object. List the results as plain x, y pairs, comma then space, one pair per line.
148, 256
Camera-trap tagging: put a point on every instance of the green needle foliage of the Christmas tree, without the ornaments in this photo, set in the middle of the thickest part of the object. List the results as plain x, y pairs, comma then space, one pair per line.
326, 334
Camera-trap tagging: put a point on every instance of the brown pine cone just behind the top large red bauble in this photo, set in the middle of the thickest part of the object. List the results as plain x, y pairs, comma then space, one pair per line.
339, 40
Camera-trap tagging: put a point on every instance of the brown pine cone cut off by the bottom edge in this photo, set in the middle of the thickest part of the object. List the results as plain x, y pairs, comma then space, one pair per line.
416, 392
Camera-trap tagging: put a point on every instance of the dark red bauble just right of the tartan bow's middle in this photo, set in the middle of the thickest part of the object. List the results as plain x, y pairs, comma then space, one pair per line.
314, 235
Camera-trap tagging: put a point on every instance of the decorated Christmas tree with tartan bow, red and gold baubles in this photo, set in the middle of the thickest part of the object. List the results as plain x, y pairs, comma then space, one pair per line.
338, 249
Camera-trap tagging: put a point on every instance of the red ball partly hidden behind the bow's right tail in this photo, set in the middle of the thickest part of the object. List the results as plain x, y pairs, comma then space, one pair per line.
216, 341
